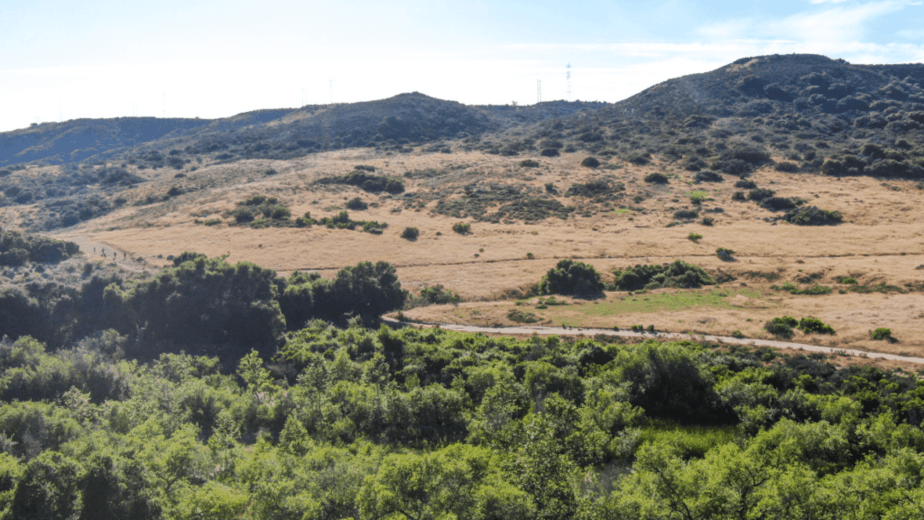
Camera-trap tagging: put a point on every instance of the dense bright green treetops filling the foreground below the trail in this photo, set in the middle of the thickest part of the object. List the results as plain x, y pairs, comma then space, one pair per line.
366, 423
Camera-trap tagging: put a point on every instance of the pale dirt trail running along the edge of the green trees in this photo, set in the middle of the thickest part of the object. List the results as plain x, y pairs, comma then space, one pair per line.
671, 335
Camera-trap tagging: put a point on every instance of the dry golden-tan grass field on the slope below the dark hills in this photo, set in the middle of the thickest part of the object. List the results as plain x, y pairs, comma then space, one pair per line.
880, 241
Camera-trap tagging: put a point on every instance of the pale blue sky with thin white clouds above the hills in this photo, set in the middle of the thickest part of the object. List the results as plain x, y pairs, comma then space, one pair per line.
69, 59
